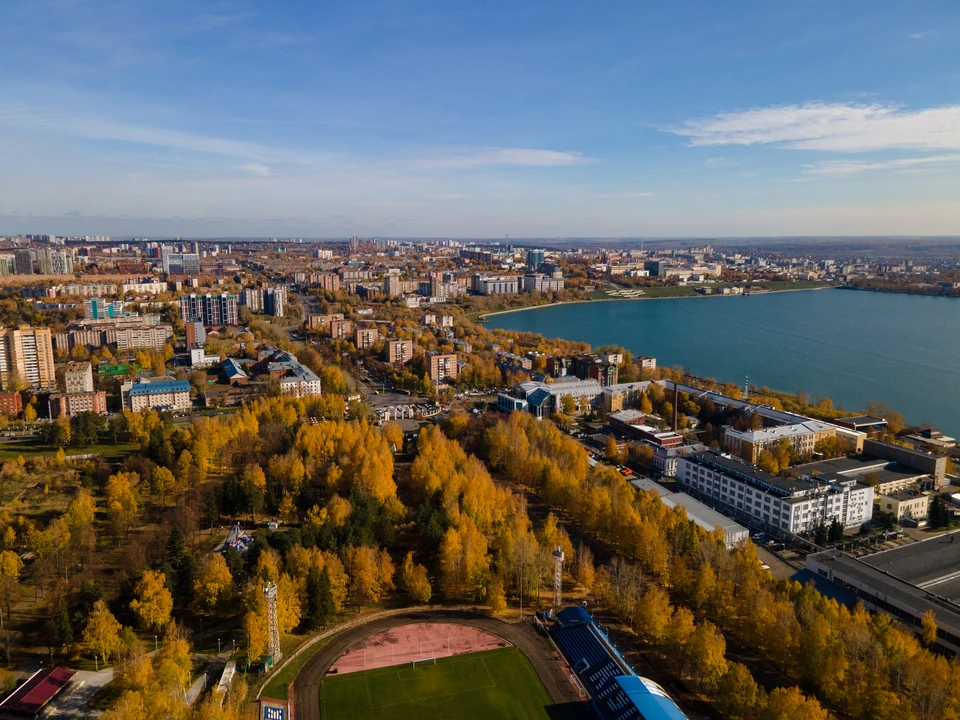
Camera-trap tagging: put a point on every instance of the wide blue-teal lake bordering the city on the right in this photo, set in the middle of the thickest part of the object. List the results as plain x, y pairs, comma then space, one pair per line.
850, 346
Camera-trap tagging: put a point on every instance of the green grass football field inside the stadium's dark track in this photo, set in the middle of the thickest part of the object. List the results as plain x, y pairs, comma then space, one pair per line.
492, 684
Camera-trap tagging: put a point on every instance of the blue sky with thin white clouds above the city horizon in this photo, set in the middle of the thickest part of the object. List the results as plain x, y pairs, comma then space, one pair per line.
480, 119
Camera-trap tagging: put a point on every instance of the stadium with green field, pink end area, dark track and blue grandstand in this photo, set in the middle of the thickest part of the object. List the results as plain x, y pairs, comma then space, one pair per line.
463, 665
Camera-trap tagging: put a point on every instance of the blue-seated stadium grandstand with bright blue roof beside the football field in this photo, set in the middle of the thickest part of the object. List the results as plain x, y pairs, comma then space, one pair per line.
616, 691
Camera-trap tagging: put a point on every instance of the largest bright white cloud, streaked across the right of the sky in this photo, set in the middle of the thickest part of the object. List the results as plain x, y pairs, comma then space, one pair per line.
829, 127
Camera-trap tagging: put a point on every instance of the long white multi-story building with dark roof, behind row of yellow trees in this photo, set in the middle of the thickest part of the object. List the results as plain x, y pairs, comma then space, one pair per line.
780, 504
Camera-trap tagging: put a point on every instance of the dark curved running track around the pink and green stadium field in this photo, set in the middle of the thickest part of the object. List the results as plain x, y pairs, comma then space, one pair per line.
306, 689
